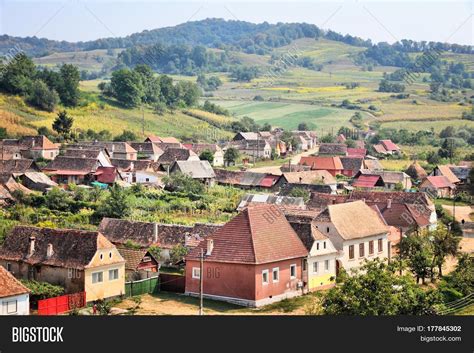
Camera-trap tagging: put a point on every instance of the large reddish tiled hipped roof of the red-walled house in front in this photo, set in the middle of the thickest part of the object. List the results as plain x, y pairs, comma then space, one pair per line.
250, 238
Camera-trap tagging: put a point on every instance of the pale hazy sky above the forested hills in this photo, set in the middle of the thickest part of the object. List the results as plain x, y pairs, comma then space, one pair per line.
379, 20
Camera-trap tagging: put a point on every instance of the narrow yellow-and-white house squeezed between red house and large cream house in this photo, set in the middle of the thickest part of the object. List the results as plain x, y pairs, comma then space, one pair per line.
322, 254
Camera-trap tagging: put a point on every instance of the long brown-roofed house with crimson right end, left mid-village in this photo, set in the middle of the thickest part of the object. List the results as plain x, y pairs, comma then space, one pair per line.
73, 170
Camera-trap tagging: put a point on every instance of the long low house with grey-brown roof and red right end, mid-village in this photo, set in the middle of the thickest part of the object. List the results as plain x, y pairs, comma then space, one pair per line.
248, 180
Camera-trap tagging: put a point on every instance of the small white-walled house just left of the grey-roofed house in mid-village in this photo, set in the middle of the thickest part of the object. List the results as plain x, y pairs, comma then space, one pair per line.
139, 171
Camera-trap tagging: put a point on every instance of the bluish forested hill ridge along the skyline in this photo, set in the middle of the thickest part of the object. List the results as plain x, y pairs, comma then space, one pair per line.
215, 33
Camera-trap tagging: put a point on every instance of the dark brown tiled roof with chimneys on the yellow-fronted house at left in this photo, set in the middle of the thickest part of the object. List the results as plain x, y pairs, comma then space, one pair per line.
71, 248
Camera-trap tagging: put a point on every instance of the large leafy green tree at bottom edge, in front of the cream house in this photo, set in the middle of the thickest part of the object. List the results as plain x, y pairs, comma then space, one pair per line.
378, 290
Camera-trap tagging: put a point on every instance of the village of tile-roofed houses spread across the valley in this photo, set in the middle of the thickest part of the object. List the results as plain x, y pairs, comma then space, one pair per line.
326, 212
